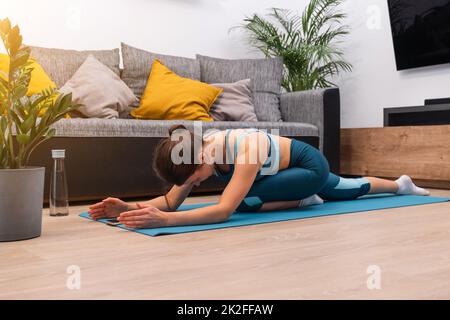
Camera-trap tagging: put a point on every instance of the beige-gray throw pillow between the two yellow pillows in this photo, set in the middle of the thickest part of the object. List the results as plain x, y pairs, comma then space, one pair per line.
101, 91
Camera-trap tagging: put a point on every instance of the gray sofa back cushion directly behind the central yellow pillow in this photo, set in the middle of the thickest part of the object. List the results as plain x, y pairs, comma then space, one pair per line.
137, 65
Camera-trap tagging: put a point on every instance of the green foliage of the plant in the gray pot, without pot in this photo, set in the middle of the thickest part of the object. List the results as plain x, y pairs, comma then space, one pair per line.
25, 122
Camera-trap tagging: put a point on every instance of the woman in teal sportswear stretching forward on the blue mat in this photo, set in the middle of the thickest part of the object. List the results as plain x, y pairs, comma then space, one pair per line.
263, 172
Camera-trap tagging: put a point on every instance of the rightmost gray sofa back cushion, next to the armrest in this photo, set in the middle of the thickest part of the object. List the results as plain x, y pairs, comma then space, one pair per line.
266, 76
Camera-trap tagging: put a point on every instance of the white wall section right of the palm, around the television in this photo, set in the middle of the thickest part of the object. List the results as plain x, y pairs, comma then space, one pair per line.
375, 83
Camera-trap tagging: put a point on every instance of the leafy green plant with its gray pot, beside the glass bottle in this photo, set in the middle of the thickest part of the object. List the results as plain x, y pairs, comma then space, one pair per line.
25, 122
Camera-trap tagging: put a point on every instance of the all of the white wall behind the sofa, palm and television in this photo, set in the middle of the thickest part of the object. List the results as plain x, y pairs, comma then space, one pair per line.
187, 27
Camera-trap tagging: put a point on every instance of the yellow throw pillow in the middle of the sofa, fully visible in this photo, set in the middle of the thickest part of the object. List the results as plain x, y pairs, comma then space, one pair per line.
171, 97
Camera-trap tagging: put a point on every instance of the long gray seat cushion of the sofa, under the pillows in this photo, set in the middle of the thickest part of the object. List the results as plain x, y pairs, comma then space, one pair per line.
160, 128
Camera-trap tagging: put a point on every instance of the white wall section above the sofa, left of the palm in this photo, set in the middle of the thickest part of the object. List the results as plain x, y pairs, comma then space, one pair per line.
181, 27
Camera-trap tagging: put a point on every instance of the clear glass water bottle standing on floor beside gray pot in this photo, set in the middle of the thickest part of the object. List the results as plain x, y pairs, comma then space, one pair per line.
59, 201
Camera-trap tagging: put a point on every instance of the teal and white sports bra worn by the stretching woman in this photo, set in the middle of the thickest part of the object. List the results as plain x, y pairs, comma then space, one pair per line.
270, 166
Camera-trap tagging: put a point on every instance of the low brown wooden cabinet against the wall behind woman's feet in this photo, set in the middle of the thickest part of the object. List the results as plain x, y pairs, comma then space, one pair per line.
422, 152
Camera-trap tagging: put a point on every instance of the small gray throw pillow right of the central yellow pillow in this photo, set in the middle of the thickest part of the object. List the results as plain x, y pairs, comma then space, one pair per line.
235, 103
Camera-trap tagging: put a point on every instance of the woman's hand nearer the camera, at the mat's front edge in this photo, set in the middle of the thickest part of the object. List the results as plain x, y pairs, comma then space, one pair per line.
148, 217
